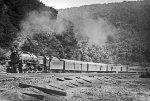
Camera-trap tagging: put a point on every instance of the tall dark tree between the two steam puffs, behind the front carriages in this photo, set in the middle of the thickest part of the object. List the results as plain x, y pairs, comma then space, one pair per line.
68, 41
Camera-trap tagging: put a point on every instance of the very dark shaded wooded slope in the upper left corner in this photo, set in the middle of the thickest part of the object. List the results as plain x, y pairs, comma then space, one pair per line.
13, 14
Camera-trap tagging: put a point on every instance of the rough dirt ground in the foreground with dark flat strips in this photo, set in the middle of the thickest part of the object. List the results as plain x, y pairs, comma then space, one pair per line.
94, 88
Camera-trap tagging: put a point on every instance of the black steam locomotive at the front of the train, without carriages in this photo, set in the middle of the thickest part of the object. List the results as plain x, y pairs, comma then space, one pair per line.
22, 62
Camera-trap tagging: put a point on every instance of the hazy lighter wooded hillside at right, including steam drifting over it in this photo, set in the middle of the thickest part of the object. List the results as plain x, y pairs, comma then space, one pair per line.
124, 27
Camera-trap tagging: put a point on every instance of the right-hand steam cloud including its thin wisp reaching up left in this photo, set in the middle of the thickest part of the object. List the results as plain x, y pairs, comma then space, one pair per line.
96, 30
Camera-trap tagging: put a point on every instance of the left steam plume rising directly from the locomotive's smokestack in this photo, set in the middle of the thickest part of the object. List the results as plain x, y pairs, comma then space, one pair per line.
35, 22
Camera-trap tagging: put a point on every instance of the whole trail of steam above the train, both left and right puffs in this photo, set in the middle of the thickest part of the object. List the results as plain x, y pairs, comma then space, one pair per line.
97, 30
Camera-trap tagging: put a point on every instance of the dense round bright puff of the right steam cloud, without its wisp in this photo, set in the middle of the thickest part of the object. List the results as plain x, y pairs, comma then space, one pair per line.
97, 30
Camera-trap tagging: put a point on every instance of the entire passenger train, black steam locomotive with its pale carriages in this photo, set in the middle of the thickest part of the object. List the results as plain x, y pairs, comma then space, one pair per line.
28, 62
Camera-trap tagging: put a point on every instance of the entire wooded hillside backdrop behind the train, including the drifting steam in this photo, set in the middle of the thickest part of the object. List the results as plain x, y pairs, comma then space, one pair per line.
110, 33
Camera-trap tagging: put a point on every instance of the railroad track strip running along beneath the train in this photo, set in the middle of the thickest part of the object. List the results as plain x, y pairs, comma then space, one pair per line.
13, 76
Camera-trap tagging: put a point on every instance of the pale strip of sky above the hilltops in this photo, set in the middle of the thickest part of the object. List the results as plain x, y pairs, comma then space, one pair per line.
61, 4
